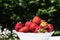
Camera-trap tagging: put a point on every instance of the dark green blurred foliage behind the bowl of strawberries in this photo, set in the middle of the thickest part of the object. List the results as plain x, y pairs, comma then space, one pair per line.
12, 11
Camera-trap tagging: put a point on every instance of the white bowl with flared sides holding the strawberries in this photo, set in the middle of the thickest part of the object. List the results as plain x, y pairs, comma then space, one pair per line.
34, 36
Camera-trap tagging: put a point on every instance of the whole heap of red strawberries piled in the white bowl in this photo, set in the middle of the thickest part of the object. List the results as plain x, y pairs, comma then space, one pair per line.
37, 25
